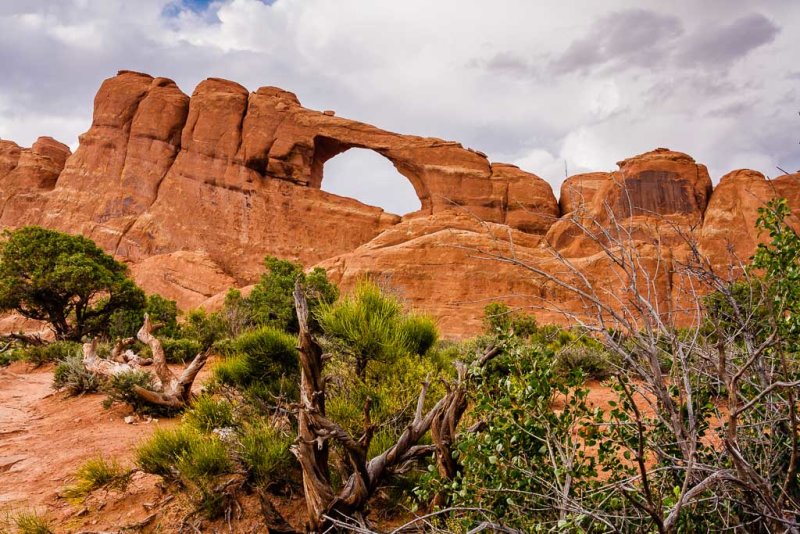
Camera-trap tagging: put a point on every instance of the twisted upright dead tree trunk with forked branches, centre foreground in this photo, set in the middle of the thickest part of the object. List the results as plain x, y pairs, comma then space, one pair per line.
316, 431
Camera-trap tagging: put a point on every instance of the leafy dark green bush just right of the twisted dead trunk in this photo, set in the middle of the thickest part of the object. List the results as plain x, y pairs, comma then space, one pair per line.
512, 470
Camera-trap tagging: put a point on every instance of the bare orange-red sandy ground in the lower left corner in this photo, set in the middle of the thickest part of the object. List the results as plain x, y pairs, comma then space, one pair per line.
46, 435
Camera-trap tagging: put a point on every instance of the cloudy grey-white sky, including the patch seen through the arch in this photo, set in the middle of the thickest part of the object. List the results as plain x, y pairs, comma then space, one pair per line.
540, 83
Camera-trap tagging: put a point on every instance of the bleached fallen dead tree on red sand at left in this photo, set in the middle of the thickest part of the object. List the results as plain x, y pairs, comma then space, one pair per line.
171, 390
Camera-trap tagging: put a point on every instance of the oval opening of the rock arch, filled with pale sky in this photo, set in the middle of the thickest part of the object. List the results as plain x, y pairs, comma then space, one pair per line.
370, 178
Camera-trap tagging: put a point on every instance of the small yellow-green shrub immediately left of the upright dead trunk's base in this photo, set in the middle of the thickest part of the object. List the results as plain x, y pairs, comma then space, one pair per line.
265, 452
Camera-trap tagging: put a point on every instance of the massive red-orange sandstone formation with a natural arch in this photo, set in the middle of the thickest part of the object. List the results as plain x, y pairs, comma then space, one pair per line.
194, 192
